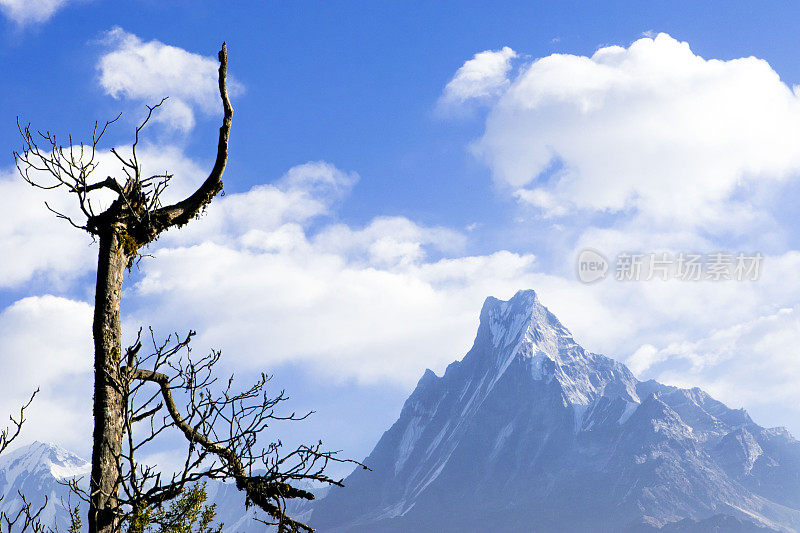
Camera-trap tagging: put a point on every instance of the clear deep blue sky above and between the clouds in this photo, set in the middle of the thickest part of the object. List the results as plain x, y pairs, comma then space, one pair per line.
355, 83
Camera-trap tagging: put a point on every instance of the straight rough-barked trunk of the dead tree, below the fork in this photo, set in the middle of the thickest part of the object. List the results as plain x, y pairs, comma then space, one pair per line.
108, 399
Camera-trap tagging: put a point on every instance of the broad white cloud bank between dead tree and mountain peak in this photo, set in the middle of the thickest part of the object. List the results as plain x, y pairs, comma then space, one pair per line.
372, 303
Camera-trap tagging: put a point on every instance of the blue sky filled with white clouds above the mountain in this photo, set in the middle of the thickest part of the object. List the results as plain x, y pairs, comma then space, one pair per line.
368, 213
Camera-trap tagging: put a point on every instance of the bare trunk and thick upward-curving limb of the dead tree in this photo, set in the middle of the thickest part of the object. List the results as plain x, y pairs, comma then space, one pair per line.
122, 234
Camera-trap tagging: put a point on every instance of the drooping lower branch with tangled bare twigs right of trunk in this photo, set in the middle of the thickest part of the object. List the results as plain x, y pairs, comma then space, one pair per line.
168, 390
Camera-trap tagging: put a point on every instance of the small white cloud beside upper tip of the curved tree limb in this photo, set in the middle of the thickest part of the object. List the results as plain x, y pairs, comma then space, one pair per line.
148, 71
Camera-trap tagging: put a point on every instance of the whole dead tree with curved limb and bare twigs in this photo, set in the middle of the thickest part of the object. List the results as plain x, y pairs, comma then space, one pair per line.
135, 218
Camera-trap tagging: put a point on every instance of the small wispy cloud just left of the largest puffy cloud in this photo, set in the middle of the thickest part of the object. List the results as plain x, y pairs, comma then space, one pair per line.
481, 78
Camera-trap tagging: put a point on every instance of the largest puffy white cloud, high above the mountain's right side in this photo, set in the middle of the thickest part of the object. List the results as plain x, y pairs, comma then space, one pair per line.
652, 129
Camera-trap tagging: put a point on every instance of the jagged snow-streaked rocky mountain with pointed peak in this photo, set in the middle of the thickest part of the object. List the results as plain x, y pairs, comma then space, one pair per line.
530, 432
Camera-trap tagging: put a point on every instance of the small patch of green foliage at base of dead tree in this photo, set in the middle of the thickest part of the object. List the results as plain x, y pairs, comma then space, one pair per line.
187, 514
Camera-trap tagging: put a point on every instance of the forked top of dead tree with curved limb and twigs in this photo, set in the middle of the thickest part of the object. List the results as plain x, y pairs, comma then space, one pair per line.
136, 210
